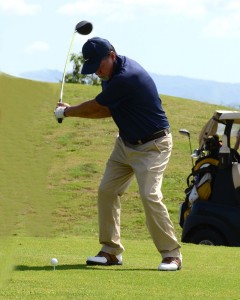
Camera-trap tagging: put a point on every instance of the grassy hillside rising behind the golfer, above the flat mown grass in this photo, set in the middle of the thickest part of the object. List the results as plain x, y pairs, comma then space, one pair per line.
50, 172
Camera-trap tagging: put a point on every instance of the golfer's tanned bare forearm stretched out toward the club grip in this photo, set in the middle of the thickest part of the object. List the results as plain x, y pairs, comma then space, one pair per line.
89, 109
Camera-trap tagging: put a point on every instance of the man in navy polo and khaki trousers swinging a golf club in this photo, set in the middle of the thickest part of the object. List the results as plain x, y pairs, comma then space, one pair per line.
142, 148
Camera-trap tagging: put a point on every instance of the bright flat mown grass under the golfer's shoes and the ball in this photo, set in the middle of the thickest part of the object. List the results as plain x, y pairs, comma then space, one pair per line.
208, 272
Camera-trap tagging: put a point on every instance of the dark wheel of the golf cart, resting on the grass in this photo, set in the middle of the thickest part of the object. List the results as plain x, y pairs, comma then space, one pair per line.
207, 236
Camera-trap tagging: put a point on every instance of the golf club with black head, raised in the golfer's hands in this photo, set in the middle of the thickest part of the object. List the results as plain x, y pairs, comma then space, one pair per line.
83, 28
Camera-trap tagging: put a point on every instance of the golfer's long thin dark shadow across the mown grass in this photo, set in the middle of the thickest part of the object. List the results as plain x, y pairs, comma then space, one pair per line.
76, 267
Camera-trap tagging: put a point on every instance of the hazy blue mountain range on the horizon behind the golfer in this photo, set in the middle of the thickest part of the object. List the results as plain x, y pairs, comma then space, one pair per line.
226, 94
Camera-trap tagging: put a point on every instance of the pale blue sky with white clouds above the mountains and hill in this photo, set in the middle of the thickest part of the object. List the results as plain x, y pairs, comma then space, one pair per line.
192, 38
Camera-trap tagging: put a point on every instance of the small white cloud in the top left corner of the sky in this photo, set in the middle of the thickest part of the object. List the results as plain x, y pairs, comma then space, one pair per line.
18, 7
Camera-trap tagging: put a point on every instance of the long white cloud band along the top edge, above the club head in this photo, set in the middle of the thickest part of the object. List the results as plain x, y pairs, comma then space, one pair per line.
189, 8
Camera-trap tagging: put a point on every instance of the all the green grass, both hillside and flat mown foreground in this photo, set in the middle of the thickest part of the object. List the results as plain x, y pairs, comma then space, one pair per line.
49, 178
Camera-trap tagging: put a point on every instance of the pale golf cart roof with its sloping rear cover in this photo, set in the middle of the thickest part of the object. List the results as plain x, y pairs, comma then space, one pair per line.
219, 117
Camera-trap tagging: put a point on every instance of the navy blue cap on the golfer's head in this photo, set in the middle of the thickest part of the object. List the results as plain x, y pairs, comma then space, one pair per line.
94, 50
